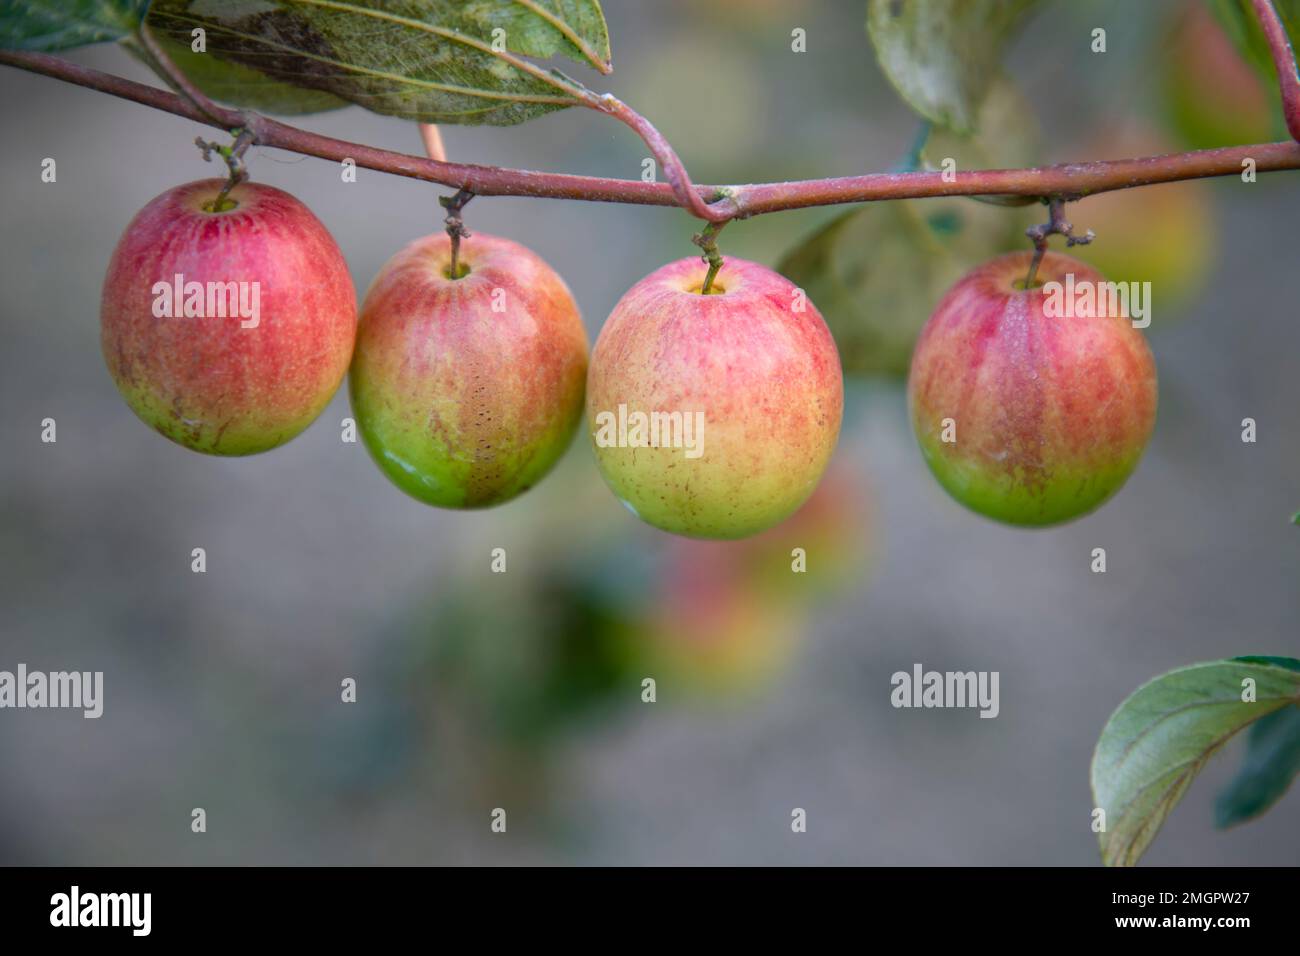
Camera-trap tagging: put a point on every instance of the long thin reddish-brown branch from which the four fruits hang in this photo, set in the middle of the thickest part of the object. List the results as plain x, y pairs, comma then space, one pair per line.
1067, 181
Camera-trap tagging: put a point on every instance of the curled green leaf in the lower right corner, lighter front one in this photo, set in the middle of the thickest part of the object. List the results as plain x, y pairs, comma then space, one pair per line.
1159, 739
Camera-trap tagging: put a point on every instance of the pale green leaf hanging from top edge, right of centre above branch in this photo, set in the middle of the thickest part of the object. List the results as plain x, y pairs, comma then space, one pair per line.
943, 55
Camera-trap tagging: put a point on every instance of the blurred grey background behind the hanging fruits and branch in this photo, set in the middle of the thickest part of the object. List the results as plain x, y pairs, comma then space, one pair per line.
523, 691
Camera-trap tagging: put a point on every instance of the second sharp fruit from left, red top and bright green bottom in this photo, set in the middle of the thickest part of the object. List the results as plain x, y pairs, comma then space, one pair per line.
469, 391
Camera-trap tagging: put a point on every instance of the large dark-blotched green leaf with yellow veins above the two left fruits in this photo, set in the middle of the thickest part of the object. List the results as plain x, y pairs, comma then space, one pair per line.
445, 62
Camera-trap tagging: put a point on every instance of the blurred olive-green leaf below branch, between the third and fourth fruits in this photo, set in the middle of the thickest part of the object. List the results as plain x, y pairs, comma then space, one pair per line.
877, 272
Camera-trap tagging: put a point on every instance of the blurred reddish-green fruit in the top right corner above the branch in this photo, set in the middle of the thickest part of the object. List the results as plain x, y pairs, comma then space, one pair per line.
1212, 96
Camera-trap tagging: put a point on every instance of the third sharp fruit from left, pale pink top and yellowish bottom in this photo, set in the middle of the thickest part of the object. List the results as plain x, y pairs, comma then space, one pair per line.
757, 360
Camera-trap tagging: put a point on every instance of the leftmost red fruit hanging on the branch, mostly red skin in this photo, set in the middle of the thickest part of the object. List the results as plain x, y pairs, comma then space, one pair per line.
207, 382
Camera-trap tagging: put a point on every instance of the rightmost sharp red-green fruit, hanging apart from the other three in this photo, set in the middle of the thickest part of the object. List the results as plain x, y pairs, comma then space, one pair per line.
1050, 413
